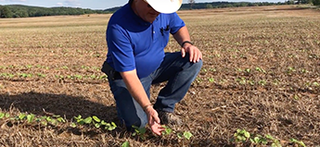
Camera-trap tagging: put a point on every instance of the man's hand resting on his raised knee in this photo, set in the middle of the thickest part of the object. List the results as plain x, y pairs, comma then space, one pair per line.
194, 52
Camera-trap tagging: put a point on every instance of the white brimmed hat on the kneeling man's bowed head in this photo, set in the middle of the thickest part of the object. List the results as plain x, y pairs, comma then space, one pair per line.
165, 6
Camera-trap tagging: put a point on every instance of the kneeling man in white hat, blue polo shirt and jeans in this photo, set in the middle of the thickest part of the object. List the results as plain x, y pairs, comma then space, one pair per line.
136, 36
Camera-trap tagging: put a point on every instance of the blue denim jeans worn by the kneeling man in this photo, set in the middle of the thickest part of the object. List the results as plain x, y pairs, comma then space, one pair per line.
178, 71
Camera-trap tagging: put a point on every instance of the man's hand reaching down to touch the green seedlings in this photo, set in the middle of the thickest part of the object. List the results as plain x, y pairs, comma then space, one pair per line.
154, 121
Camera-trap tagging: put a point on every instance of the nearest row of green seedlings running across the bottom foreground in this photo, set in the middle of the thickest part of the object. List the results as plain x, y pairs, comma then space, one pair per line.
240, 137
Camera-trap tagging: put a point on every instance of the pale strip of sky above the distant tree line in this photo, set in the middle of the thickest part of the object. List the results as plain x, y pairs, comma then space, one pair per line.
97, 4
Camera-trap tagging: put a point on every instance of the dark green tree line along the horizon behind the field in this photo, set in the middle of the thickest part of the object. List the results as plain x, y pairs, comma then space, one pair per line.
18, 11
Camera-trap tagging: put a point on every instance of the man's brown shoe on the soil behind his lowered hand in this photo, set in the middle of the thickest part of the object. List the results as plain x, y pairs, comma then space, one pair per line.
168, 118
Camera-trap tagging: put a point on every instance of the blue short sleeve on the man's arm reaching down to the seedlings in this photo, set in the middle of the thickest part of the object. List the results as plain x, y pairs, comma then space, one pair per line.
120, 49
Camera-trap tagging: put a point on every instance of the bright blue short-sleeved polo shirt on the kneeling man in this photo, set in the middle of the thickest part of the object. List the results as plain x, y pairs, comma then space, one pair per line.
136, 44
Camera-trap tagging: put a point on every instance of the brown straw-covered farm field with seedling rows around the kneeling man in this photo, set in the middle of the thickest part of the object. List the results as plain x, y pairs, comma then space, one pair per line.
259, 85
